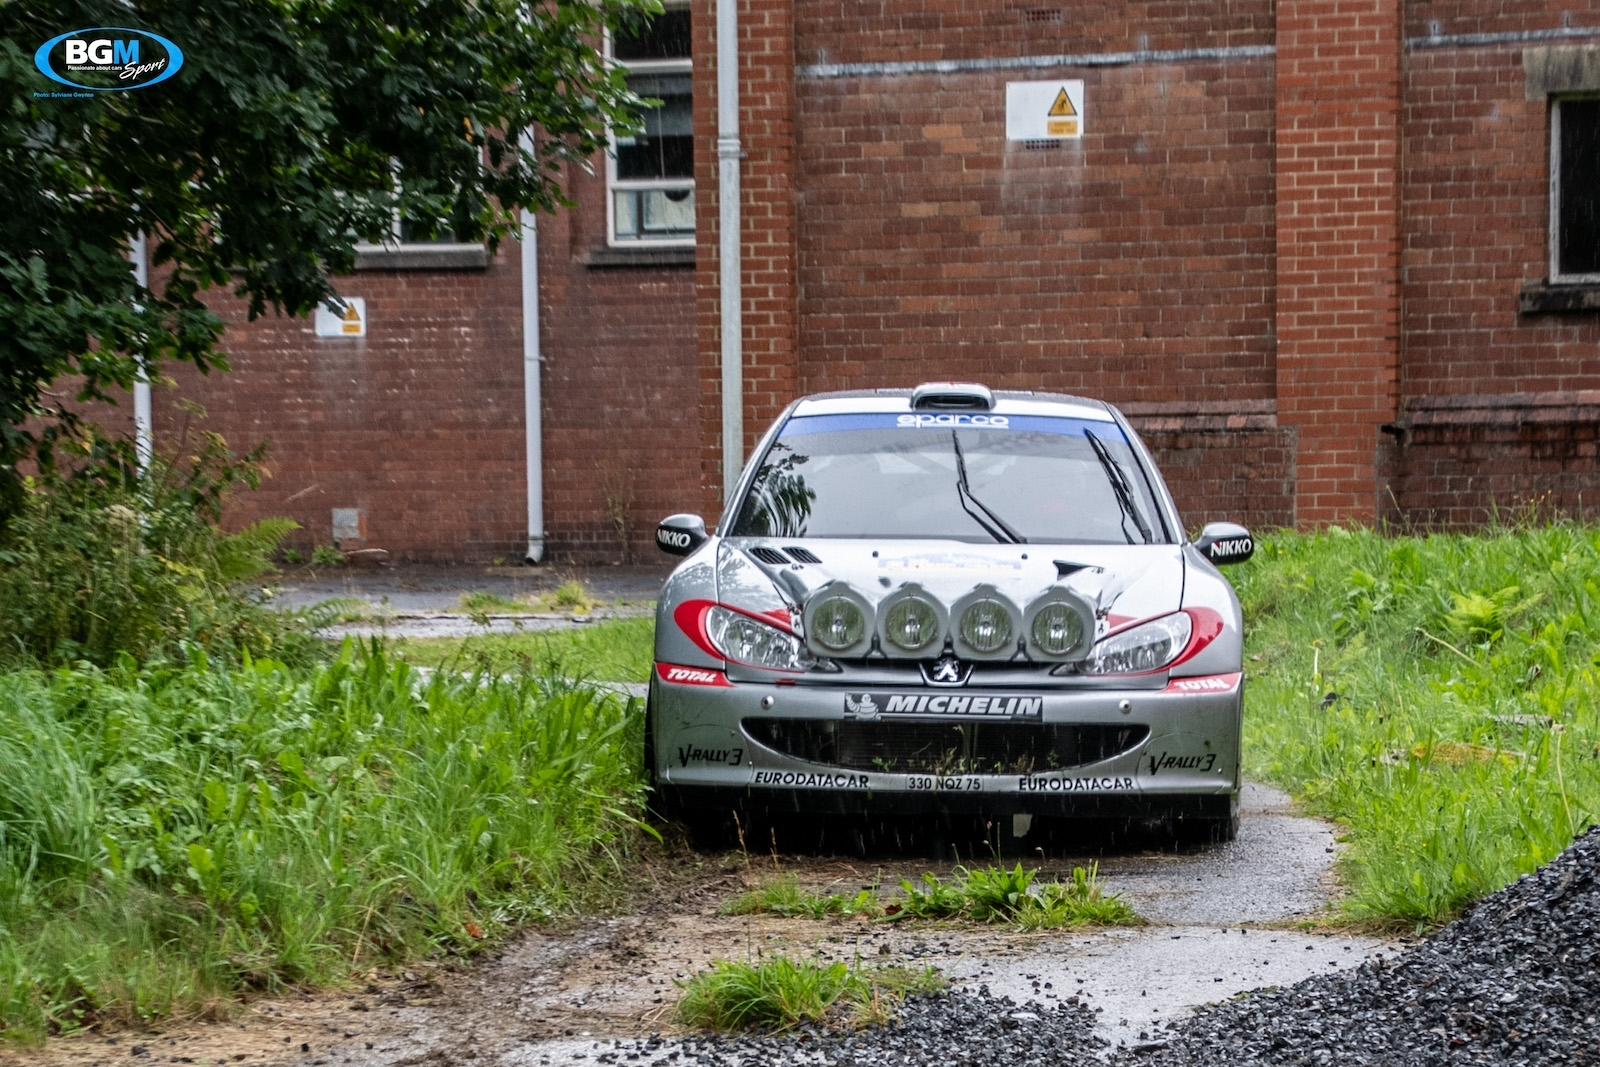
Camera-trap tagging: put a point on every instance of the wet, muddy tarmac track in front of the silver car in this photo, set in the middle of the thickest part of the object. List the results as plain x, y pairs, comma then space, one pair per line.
1222, 922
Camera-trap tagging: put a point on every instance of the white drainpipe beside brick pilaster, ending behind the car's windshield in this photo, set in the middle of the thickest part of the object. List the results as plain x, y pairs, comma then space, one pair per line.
729, 234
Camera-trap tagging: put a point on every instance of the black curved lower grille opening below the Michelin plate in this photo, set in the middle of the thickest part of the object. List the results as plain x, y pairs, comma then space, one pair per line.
916, 748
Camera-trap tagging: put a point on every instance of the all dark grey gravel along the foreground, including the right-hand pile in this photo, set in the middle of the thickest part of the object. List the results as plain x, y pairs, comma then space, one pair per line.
1514, 981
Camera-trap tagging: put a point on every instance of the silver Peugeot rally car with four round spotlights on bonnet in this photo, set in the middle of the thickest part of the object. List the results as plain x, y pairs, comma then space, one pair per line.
950, 601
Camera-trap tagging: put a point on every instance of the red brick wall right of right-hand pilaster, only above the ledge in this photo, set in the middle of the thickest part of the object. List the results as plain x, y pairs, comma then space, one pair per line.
1476, 215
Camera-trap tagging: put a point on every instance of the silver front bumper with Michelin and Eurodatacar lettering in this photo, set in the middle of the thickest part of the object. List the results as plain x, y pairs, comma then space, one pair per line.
1130, 753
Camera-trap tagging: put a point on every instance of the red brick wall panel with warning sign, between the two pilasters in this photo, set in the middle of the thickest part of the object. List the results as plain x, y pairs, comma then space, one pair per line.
1134, 265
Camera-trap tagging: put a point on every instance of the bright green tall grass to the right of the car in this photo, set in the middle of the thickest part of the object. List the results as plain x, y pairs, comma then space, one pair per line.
1438, 695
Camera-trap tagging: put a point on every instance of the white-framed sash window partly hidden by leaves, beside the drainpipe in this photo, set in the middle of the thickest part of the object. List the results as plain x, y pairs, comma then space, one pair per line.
652, 172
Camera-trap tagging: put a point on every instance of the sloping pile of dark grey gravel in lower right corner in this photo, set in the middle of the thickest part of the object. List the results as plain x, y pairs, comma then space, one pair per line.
1514, 981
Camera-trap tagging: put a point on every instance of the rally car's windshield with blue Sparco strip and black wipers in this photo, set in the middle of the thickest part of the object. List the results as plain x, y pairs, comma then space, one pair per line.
953, 476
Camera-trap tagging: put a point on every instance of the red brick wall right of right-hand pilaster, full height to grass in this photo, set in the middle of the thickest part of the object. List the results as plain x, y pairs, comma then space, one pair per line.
1500, 407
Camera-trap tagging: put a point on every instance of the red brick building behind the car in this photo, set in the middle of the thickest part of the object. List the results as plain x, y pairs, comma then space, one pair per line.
1340, 262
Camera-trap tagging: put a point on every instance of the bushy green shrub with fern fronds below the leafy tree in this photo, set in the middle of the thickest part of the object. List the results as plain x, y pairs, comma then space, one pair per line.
102, 557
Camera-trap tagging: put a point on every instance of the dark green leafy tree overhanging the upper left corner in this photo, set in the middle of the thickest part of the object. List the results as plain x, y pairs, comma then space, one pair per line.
294, 130
